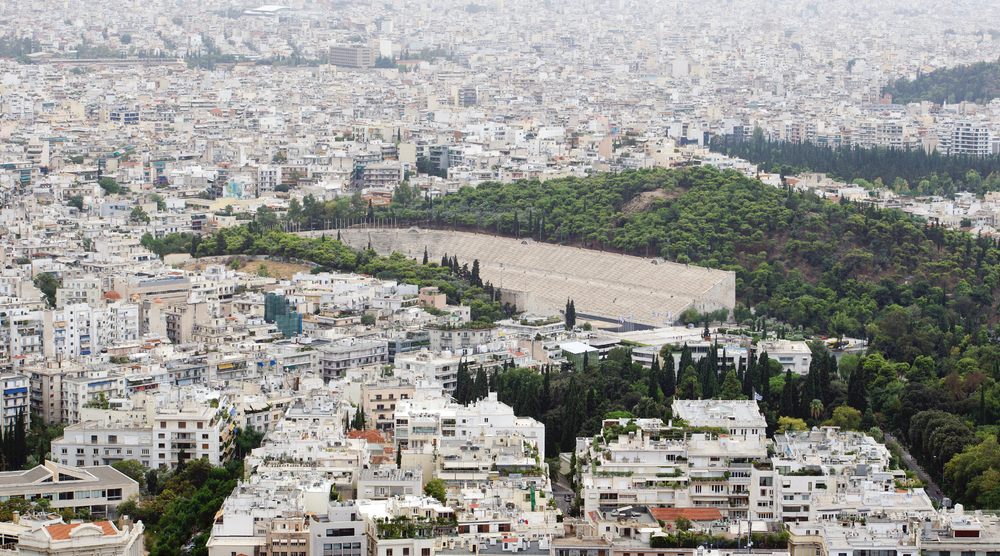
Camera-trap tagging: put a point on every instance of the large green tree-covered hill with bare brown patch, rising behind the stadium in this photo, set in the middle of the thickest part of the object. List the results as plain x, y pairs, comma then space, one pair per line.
828, 268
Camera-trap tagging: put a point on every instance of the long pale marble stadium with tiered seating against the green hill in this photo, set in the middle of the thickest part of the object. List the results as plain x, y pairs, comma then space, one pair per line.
539, 277
